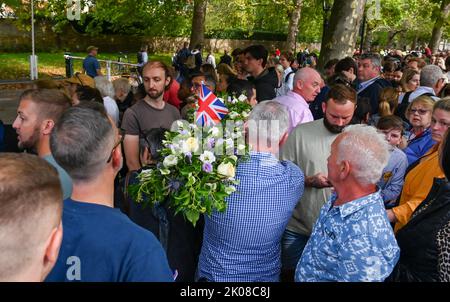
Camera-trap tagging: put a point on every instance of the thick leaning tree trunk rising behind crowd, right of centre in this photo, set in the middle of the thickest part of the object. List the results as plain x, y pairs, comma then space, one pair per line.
340, 39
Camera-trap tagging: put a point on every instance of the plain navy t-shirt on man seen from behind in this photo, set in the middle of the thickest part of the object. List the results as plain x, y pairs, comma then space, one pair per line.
102, 244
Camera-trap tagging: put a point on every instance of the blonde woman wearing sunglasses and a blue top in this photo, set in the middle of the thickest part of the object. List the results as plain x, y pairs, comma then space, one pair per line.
419, 139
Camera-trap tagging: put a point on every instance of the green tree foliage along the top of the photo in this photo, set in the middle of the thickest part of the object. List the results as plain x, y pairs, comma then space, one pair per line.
396, 22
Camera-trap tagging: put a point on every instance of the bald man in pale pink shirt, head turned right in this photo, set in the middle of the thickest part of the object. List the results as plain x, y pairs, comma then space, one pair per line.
305, 89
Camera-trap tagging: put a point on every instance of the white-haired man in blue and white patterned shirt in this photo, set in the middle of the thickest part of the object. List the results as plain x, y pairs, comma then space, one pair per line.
352, 240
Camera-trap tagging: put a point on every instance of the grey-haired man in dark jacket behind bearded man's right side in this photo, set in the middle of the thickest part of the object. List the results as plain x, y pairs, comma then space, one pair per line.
370, 81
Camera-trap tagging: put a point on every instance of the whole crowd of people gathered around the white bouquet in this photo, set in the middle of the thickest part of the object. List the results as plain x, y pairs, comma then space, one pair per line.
353, 185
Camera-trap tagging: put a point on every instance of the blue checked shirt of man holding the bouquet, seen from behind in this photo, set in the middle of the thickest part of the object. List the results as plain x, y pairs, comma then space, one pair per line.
244, 242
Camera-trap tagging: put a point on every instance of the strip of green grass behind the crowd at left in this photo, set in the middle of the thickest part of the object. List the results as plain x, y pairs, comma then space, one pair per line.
15, 66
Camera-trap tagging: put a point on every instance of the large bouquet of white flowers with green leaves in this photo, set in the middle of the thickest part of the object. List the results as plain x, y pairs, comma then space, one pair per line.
197, 171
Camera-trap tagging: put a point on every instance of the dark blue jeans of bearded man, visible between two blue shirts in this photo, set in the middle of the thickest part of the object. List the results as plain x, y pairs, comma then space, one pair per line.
292, 245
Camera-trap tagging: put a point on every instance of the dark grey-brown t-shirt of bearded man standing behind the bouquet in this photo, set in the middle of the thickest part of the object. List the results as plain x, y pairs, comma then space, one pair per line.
142, 117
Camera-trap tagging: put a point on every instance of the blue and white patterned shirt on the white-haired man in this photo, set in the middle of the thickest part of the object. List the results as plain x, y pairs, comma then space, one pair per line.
351, 242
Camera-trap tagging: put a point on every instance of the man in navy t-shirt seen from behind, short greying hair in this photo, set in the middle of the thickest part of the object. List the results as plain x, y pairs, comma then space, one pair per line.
99, 242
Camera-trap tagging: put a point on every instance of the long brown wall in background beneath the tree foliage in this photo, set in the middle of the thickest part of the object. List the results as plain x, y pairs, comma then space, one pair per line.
13, 39
